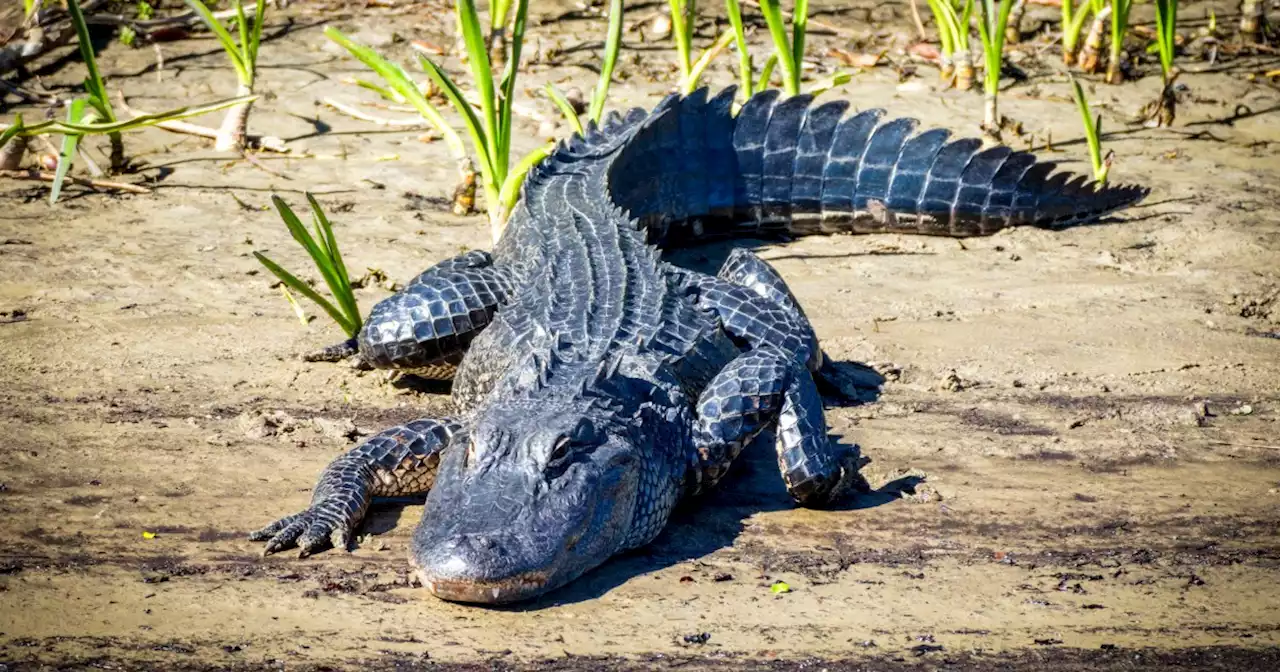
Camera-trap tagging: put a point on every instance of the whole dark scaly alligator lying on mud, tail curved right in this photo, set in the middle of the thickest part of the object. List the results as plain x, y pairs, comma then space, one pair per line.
597, 385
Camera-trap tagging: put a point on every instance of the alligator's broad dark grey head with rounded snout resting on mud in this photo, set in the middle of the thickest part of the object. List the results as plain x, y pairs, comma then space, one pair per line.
540, 493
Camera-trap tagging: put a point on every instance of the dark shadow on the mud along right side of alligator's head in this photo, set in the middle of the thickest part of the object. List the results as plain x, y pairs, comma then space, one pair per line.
706, 525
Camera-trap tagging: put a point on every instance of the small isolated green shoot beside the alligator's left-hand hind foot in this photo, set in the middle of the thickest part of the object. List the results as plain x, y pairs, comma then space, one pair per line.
323, 249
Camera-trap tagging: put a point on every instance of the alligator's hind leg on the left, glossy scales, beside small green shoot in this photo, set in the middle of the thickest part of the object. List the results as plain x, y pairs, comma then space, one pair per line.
426, 328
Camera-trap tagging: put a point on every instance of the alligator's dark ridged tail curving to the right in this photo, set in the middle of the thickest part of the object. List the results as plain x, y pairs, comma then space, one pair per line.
692, 170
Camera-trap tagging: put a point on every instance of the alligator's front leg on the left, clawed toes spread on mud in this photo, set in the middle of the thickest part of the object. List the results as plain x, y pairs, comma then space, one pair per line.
397, 463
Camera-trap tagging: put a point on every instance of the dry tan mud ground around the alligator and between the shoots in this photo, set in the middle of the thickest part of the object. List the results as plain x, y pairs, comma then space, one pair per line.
1078, 444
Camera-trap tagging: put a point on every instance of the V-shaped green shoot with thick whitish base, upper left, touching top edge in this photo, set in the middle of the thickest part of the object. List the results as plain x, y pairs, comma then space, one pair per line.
234, 132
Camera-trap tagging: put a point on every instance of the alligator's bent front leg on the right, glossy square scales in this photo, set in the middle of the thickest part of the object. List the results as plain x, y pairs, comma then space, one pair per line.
769, 388
